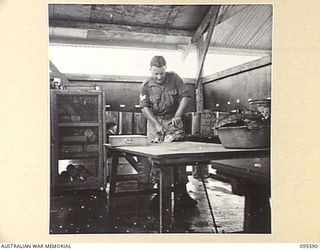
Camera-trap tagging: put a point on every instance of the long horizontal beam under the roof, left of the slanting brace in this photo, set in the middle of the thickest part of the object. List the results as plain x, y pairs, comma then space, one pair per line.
103, 27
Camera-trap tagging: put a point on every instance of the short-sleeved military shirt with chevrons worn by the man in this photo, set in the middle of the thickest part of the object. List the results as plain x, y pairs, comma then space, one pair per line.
163, 99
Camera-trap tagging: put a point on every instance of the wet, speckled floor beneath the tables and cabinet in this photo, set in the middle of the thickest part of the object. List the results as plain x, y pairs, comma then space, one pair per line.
85, 212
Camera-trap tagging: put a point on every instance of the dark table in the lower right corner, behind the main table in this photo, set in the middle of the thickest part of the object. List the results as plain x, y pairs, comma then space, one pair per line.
250, 178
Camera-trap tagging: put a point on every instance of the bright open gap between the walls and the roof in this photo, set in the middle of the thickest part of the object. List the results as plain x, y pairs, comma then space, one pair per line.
135, 62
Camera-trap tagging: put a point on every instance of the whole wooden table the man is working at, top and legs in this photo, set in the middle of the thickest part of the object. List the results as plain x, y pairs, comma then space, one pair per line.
165, 156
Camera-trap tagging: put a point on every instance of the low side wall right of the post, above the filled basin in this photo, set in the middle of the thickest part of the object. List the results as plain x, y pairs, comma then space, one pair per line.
231, 89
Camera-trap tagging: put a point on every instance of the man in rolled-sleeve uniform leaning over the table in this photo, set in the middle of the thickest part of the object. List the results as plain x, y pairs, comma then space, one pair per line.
163, 100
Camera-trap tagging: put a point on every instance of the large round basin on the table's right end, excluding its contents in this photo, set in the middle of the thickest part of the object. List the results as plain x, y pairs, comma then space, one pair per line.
244, 137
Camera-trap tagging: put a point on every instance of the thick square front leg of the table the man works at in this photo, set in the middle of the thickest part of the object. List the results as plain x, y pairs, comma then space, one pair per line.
165, 203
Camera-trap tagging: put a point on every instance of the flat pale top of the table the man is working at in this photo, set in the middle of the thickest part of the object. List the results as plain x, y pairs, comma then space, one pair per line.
179, 148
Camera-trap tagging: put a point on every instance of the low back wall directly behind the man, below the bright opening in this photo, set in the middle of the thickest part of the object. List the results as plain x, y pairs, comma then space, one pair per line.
121, 98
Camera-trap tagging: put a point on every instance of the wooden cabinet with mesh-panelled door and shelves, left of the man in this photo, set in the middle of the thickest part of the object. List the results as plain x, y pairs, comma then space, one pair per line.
77, 128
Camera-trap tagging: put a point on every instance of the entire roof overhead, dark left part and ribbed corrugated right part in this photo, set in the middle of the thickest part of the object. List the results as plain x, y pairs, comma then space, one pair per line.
241, 27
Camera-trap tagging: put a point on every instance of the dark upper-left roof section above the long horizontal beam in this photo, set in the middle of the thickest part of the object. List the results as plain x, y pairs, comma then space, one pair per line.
184, 17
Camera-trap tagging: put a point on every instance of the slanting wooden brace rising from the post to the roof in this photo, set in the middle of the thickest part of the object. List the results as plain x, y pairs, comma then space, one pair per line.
214, 16
